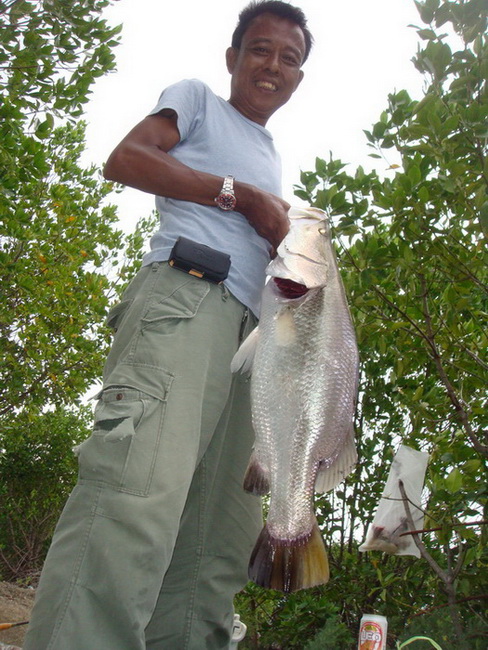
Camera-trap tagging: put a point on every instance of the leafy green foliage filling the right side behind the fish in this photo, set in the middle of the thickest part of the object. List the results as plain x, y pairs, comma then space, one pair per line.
412, 248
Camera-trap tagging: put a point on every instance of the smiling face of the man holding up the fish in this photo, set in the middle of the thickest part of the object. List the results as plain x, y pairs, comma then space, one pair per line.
266, 69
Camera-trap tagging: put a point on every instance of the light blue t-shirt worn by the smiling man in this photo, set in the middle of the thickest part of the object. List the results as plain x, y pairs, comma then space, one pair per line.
216, 138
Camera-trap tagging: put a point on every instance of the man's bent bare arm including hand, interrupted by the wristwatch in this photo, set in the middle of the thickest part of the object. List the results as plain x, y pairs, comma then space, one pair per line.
141, 160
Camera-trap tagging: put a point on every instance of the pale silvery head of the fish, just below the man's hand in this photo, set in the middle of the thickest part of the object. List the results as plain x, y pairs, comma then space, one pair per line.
302, 255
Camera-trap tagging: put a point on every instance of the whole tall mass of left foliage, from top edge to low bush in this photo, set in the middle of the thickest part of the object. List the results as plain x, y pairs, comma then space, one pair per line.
54, 236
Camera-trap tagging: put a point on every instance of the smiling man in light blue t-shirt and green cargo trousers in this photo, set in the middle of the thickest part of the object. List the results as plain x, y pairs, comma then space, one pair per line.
155, 539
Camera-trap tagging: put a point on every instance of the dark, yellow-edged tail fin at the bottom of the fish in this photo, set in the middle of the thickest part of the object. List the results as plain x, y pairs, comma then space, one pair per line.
296, 564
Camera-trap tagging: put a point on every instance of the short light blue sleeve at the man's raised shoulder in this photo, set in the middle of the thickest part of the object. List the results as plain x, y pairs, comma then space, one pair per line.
187, 99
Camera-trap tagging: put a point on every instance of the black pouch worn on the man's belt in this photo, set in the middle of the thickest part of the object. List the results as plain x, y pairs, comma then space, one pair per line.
199, 260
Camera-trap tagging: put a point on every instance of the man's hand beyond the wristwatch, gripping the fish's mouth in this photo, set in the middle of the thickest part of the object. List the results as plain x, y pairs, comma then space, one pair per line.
267, 213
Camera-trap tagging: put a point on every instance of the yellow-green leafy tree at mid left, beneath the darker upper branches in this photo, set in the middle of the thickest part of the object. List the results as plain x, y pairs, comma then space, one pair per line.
54, 242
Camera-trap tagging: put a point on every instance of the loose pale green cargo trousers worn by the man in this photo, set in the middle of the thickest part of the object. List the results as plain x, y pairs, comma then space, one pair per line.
154, 541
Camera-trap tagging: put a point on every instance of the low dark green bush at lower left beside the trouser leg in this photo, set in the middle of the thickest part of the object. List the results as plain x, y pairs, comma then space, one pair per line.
37, 471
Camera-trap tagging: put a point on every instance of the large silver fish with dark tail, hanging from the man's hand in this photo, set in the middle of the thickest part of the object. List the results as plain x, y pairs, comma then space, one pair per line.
304, 386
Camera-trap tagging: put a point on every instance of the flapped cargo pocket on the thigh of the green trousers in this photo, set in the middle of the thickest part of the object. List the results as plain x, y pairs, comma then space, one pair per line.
122, 450
